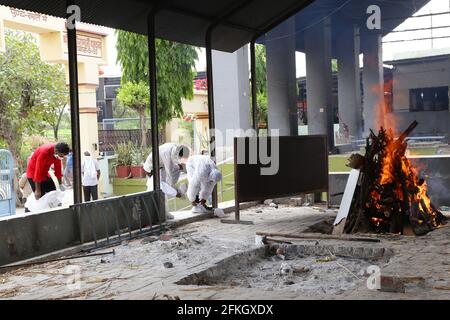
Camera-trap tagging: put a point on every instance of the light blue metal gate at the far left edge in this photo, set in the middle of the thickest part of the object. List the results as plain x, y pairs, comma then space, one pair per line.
7, 195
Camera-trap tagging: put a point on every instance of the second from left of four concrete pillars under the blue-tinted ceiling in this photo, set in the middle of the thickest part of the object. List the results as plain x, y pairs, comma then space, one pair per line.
319, 80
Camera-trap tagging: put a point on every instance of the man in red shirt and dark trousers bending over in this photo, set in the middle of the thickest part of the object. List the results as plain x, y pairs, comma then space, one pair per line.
39, 164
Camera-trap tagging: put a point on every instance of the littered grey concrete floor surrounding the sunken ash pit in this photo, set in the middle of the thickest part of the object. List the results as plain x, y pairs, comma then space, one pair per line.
137, 270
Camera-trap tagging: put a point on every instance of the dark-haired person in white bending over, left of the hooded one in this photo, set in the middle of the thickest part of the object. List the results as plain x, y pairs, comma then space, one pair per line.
172, 158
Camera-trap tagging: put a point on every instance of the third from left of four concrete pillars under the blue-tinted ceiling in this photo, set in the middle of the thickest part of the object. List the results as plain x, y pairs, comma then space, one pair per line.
349, 88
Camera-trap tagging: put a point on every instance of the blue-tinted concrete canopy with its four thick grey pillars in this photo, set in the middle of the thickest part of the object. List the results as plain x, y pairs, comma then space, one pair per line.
324, 30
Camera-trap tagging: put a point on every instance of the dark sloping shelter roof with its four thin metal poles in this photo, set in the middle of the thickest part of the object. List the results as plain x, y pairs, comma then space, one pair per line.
224, 25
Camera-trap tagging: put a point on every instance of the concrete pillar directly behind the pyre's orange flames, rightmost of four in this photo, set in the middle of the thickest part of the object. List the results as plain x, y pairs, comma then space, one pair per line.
373, 82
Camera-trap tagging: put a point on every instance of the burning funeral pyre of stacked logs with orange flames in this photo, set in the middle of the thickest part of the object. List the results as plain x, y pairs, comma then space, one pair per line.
390, 196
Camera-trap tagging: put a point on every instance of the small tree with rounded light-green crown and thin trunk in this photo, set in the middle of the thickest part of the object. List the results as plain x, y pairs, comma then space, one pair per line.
136, 96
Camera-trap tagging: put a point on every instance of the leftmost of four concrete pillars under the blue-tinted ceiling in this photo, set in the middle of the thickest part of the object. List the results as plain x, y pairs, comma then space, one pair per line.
281, 79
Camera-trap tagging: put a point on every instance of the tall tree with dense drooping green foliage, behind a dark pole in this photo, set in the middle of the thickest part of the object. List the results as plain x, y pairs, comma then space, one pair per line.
175, 70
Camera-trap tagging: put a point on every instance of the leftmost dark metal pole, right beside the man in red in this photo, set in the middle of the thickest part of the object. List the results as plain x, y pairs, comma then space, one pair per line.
74, 108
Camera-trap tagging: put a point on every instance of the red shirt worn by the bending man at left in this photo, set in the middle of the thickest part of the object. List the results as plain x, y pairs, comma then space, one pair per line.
41, 161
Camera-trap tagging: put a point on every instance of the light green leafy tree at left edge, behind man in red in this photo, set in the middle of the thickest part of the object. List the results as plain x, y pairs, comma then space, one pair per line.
30, 90
